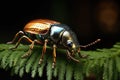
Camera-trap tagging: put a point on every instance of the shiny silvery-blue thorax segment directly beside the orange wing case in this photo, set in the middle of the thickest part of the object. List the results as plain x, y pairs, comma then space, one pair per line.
56, 33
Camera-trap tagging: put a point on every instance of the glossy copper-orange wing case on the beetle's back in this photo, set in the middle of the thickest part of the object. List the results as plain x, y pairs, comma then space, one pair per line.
39, 26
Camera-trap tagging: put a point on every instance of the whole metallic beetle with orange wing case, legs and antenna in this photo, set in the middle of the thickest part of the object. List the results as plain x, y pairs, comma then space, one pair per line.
45, 31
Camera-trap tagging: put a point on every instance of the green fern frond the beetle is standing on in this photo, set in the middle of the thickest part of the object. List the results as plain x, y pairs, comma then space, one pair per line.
102, 63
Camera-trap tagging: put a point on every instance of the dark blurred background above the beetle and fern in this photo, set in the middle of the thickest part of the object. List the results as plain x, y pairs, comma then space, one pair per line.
89, 19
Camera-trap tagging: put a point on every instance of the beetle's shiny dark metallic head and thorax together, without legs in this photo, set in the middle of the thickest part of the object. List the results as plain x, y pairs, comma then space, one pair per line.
62, 34
